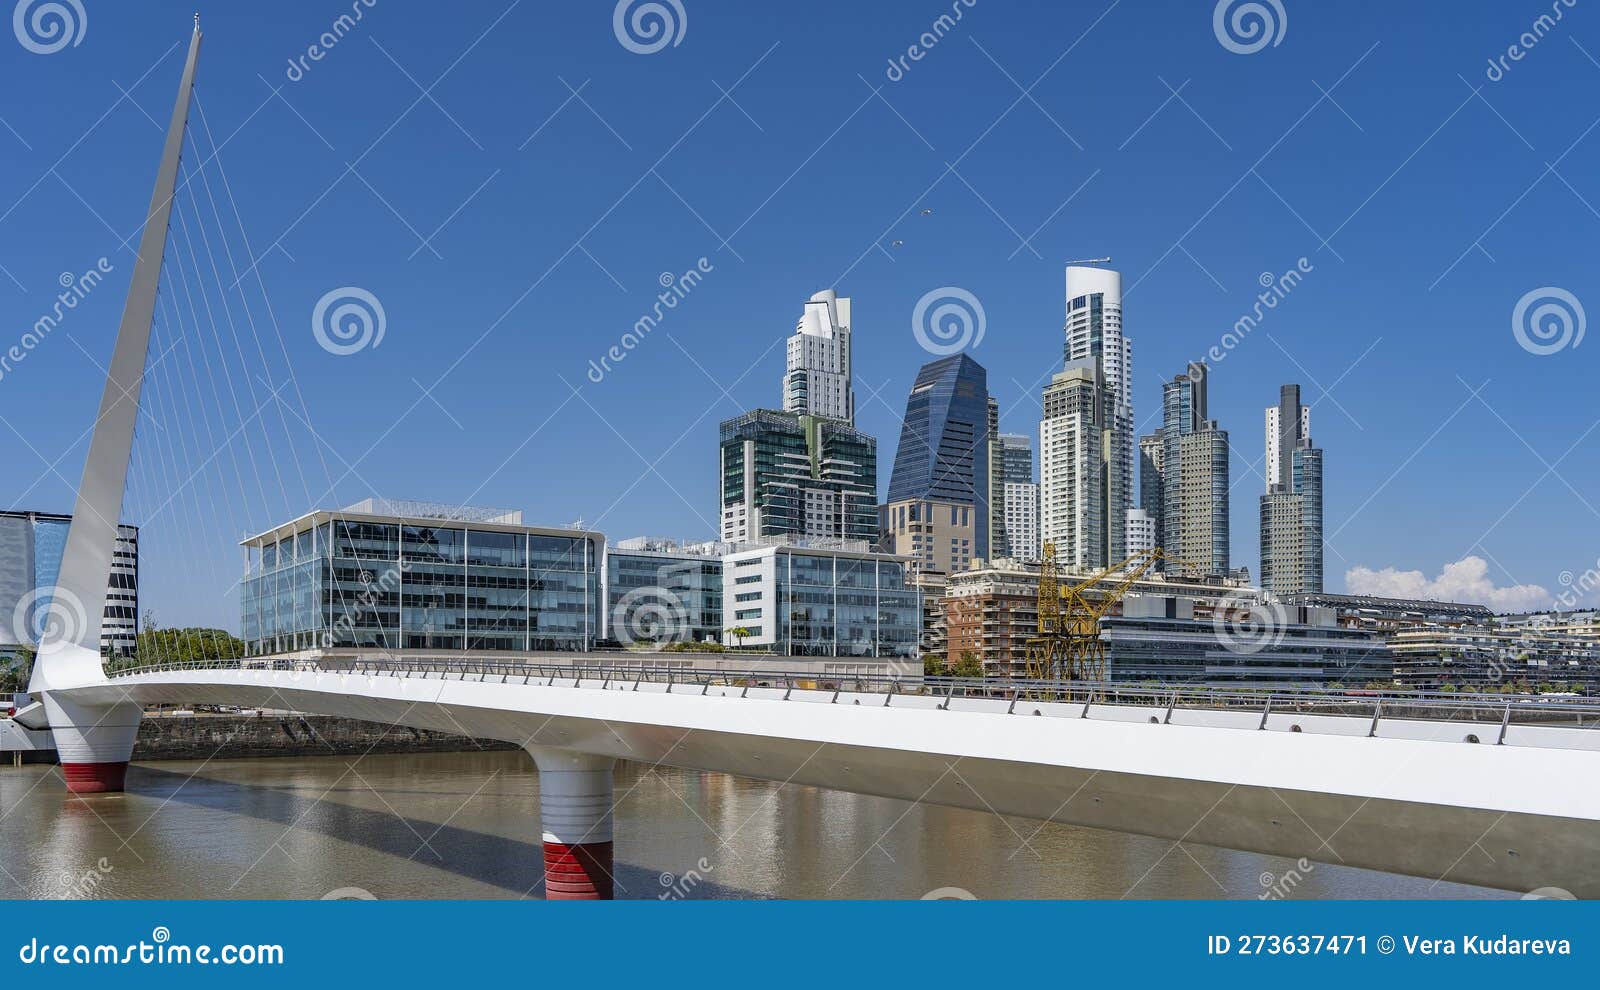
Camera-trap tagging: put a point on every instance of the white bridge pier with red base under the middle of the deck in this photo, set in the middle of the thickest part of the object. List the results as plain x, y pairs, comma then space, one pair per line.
575, 812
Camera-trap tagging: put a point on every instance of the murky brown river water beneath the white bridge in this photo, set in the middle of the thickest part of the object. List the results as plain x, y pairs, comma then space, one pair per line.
306, 828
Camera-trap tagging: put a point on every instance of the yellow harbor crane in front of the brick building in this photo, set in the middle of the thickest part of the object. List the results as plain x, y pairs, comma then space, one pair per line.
1068, 645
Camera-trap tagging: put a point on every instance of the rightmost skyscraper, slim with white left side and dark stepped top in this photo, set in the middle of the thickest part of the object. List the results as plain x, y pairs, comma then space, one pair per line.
1292, 508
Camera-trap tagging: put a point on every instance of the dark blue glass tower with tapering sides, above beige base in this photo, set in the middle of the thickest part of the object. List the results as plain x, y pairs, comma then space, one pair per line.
943, 452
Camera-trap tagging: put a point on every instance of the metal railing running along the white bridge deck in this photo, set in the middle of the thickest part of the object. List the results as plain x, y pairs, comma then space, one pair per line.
1276, 701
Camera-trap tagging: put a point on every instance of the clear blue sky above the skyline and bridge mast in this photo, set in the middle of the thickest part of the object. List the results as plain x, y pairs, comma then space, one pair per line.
514, 231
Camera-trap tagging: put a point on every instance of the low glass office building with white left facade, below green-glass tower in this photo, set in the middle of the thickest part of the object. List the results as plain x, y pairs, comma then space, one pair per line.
822, 604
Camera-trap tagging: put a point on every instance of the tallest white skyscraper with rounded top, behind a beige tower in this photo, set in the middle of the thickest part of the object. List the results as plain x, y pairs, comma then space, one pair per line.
1094, 332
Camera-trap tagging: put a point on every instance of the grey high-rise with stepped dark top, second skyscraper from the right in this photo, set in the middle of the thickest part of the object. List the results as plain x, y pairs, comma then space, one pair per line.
1194, 481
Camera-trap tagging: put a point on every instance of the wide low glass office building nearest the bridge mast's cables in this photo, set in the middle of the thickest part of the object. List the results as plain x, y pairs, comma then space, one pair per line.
393, 577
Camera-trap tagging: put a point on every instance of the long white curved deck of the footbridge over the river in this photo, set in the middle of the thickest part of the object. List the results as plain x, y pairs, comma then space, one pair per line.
1495, 791
